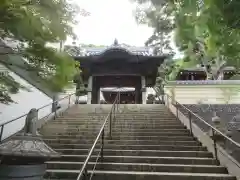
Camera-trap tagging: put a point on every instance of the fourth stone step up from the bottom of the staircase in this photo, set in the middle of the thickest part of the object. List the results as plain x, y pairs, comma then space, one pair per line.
119, 152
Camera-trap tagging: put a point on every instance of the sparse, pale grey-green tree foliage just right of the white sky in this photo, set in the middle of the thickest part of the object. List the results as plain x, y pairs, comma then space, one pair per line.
156, 16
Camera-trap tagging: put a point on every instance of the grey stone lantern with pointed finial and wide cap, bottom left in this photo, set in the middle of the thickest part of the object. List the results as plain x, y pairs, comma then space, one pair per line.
23, 156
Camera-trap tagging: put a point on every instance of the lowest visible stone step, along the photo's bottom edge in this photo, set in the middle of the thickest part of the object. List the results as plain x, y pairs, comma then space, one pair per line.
133, 175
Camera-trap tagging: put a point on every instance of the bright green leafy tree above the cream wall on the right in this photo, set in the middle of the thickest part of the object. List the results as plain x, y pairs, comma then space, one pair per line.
206, 36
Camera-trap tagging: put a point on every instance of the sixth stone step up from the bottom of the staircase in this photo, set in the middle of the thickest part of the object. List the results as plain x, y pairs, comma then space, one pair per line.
121, 142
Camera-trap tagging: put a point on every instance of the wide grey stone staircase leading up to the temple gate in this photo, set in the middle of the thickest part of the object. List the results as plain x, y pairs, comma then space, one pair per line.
148, 143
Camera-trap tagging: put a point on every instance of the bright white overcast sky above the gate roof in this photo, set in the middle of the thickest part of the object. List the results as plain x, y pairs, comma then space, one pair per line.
110, 19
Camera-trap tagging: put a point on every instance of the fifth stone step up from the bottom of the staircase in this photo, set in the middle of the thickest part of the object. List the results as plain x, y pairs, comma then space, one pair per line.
135, 147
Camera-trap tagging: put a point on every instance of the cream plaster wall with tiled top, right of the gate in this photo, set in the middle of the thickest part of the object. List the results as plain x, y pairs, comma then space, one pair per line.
205, 94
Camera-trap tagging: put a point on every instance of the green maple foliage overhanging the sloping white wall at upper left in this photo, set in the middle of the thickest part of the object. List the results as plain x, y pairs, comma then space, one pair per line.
31, 24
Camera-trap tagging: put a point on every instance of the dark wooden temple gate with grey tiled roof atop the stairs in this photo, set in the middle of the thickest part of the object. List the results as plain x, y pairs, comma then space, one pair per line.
118, 66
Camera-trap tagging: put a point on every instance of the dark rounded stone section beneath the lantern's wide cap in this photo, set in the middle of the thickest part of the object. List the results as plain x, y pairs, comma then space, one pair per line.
26, 172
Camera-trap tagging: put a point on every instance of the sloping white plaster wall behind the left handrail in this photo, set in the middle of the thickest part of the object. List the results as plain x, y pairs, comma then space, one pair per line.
25, 101
